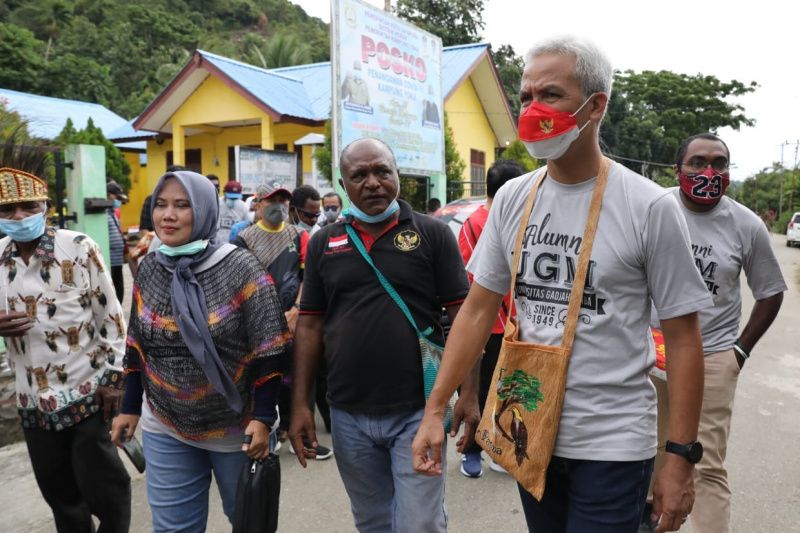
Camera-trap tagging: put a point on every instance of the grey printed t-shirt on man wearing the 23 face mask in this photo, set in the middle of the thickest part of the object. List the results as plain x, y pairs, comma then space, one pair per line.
726, 240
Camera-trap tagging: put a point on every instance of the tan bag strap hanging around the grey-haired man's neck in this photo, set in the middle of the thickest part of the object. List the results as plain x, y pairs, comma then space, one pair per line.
576, 294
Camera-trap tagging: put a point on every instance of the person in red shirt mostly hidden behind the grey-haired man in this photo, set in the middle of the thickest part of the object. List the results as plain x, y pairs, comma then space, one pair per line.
500, 172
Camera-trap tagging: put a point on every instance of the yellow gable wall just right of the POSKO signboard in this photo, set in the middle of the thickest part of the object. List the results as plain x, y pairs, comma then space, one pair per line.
471, 129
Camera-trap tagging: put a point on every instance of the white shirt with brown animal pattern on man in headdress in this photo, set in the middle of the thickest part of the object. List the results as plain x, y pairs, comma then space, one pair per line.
77, 340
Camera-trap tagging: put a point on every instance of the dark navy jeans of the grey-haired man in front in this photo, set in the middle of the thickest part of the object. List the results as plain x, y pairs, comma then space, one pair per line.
596, 496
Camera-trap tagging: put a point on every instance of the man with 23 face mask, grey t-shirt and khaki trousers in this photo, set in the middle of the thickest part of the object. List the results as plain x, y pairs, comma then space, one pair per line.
727, 238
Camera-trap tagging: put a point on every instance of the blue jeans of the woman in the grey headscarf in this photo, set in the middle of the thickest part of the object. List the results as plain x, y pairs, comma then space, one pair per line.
178, 479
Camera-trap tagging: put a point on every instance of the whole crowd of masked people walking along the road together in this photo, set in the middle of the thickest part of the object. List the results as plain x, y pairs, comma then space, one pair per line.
248, 315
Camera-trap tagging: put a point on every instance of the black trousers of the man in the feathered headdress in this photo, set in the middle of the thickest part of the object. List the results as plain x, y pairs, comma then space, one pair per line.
80, 474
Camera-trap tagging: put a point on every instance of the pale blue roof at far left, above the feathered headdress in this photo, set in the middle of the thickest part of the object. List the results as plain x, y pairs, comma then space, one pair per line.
46, 116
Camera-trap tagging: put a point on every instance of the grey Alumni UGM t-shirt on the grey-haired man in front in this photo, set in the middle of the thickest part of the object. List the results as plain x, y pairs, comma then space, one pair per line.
641, 251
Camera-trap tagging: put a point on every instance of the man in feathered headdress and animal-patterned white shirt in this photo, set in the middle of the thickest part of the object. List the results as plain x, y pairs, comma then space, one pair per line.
58, 313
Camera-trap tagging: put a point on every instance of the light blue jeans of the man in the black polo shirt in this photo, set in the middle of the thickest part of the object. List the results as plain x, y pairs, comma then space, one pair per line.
373, 454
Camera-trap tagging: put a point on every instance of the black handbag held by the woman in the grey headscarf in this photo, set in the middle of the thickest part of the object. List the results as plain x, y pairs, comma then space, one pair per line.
258, 496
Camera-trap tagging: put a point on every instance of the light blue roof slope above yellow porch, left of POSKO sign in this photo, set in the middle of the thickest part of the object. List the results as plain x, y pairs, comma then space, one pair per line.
286, 95
